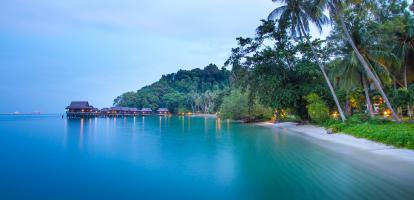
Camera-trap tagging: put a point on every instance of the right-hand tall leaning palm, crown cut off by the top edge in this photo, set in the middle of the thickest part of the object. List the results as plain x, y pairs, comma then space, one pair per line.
335, 8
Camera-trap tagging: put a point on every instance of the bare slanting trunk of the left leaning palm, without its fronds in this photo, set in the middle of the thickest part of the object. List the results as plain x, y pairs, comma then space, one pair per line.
322, 68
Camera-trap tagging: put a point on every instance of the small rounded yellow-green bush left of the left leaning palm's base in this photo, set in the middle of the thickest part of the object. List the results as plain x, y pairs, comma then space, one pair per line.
317, 109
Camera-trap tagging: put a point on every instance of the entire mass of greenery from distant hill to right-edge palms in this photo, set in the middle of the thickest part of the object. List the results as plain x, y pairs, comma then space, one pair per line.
364, 67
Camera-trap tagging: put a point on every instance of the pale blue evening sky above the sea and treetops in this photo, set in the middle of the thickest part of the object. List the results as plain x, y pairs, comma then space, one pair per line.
53, 52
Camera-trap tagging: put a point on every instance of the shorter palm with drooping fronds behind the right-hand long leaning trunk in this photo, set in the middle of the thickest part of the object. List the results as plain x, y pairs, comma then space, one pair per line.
349, 72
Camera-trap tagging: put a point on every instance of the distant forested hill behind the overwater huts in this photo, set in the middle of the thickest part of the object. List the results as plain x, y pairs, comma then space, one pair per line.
197, 90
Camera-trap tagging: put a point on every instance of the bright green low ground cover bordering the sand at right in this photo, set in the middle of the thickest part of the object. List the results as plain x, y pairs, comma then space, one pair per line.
398, 135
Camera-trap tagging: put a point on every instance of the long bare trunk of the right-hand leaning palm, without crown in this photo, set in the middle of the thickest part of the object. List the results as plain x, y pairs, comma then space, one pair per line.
370, 74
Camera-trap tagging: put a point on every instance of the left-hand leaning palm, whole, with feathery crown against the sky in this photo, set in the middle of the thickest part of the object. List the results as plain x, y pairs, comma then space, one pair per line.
298, 14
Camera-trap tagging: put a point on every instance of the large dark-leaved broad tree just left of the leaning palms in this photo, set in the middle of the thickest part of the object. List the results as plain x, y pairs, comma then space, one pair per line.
278, 76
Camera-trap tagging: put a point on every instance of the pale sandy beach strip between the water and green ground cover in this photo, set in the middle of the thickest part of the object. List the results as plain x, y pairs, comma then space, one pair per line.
362, 144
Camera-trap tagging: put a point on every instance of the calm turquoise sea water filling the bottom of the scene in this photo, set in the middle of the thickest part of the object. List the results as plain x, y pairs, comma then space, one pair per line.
47, 157
